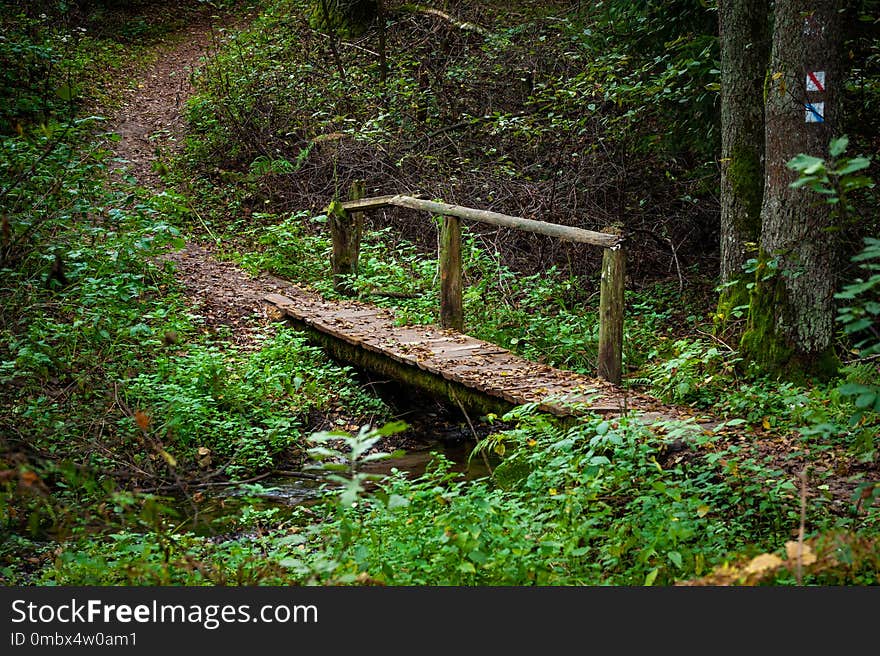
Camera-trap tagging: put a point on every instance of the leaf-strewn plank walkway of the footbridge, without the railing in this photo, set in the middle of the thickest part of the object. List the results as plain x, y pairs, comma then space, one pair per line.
455, 361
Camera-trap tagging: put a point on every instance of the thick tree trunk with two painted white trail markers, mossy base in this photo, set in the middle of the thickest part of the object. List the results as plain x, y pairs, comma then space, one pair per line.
791, 315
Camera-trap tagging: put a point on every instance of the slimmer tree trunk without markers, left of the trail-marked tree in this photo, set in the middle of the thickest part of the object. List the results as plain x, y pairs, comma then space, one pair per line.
744, 28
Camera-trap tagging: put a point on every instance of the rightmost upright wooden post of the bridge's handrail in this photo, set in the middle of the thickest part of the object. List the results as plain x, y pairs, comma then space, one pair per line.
611, 314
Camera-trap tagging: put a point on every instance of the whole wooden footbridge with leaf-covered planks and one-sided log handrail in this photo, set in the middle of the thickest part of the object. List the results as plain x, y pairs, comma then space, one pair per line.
442, 359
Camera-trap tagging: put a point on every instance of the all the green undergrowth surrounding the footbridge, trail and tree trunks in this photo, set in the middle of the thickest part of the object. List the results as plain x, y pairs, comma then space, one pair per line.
123, 409
